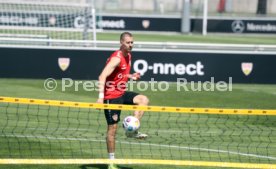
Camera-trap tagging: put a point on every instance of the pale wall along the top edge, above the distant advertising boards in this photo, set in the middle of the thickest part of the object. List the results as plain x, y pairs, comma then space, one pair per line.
239, 6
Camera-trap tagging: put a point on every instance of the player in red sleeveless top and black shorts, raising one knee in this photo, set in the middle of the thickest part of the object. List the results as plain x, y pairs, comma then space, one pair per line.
112, 90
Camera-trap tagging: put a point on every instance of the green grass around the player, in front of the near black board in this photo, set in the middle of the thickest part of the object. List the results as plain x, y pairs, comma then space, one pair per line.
242, 96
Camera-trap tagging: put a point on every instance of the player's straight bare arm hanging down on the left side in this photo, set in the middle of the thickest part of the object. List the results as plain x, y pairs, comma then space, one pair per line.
109, 68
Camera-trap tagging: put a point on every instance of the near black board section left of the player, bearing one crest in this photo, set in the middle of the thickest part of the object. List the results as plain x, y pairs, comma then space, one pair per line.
55, 63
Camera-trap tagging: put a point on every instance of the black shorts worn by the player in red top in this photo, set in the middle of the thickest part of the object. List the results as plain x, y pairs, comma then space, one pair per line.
113, 116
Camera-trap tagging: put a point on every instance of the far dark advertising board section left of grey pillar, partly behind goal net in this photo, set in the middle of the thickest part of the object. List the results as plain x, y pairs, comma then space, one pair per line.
77, 21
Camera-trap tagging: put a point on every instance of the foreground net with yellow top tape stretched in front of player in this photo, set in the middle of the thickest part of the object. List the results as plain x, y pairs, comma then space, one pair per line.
45, 129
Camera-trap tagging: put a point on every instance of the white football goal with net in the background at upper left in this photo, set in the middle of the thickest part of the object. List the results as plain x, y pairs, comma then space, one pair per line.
47, 23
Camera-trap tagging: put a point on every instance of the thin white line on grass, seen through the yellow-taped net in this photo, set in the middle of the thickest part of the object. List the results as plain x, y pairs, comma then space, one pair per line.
145, 144
